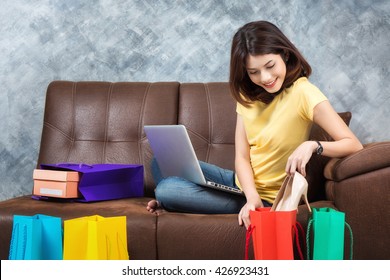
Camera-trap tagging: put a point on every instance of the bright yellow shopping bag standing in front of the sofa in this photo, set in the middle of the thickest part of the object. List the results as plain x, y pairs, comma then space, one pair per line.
95, 238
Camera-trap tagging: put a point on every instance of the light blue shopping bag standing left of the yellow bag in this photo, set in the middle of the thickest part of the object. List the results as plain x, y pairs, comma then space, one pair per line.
37, 237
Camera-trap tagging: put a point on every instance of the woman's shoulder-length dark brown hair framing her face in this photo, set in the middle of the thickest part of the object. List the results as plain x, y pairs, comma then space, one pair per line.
259, 38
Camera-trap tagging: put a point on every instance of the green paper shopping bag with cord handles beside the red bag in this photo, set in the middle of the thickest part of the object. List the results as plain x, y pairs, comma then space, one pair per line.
327, 236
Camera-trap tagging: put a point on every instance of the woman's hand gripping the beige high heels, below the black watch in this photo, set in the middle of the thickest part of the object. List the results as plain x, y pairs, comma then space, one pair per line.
300, 157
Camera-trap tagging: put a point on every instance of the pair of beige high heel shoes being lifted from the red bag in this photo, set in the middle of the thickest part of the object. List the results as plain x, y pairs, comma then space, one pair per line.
290, 194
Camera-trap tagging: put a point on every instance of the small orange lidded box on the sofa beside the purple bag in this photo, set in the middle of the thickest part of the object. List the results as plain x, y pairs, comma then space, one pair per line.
56, 183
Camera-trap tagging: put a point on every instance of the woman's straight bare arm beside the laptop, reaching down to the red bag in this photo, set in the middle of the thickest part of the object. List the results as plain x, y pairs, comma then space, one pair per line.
245, 174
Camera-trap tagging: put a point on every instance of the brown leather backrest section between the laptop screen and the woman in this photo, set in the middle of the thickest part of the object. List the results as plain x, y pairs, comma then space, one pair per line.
208, 112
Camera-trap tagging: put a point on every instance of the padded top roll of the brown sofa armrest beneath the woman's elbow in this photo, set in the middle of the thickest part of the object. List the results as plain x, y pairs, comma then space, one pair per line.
373, 156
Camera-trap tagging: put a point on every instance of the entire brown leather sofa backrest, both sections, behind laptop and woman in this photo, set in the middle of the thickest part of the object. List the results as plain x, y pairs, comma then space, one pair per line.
102, 122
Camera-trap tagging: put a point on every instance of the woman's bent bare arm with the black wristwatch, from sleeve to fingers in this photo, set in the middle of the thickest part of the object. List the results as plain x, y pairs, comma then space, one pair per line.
345, 142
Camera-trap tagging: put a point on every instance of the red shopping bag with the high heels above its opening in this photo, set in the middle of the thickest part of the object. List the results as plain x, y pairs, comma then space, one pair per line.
273, 234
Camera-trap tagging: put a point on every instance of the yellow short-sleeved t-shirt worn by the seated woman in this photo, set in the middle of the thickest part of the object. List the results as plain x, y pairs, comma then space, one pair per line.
275, 130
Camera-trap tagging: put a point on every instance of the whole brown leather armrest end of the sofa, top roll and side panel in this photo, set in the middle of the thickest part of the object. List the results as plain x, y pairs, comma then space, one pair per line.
359, 186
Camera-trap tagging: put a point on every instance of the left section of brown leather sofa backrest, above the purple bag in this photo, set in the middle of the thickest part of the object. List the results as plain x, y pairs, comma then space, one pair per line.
102, 122
